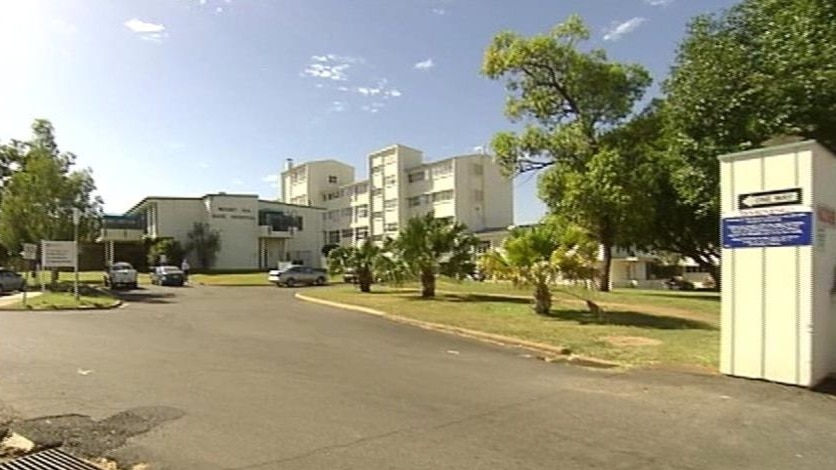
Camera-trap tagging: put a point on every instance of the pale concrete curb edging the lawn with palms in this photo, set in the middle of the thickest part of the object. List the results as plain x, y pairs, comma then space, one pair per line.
548, 352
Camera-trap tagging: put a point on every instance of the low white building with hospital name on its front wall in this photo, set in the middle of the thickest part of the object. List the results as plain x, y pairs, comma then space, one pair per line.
254, 233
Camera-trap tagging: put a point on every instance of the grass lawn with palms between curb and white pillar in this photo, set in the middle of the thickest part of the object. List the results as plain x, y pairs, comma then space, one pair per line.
630, 336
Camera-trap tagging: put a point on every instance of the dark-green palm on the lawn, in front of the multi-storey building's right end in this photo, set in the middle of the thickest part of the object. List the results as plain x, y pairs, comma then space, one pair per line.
431, 246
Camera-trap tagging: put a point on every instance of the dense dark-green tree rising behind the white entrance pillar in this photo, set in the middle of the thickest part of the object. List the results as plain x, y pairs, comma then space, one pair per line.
758, 70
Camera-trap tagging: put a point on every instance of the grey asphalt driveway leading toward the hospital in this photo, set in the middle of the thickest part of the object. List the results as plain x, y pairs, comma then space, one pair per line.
249, 378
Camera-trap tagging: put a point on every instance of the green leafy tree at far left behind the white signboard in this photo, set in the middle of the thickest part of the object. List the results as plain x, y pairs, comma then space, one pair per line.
40, 189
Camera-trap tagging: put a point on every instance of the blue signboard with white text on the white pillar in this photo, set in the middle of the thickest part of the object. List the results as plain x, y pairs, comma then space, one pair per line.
763, 231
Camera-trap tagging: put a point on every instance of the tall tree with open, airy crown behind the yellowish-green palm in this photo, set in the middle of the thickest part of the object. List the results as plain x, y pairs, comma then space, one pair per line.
573, 104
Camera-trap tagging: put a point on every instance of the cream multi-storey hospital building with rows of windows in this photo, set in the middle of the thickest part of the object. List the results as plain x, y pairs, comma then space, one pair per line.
400, 185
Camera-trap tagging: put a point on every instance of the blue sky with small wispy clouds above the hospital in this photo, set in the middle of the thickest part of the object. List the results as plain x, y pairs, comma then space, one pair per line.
187, 97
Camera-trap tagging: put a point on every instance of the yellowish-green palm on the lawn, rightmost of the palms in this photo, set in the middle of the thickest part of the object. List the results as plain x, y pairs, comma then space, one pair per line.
526, 260
